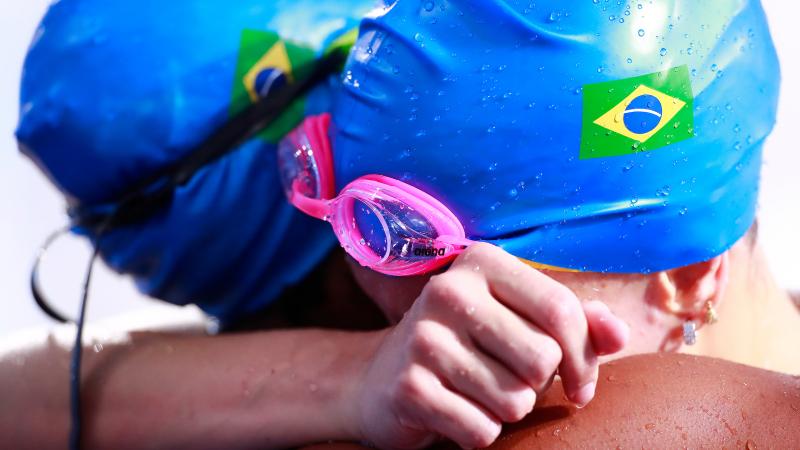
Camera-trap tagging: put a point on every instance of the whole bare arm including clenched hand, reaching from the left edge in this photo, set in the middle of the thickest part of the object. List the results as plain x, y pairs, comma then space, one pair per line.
459, 363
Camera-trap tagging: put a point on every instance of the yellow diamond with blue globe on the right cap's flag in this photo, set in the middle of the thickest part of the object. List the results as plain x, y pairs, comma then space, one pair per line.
642, 114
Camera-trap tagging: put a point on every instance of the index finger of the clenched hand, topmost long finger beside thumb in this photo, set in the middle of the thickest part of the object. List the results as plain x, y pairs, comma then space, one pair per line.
547, 304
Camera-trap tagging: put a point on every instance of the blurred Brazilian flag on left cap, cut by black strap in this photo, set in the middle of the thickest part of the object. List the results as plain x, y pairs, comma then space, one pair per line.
266, 62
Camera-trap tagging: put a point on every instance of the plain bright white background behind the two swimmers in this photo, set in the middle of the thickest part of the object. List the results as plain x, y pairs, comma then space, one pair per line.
30, 207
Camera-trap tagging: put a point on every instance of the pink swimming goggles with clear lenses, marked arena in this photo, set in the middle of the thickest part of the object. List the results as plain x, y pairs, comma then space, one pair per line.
383, 223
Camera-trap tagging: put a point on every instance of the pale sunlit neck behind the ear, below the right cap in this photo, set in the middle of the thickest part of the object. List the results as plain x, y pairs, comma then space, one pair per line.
759, 324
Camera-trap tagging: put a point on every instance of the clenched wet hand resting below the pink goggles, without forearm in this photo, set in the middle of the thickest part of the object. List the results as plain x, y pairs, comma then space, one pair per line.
478, 346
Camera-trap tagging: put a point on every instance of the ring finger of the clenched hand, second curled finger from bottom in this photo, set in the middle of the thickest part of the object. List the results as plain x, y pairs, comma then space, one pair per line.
476, 376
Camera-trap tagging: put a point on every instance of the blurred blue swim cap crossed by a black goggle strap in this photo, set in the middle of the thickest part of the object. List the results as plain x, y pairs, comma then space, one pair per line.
115, 90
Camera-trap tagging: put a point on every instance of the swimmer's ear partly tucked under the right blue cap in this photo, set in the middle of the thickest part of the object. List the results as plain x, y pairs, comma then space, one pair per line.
685, 291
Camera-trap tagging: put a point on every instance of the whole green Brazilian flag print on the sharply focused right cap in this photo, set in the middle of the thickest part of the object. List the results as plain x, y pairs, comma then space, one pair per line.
637, 114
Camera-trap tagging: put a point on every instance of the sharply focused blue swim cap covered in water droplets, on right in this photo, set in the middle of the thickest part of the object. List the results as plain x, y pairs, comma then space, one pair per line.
598, 136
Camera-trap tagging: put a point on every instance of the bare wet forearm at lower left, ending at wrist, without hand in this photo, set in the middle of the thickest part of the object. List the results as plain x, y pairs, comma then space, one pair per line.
160, 390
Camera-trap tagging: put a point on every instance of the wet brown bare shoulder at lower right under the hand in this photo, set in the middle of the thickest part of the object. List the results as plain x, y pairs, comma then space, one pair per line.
669, 401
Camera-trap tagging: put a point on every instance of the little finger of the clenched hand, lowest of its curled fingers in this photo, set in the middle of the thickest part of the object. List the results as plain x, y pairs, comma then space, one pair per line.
430, 403
